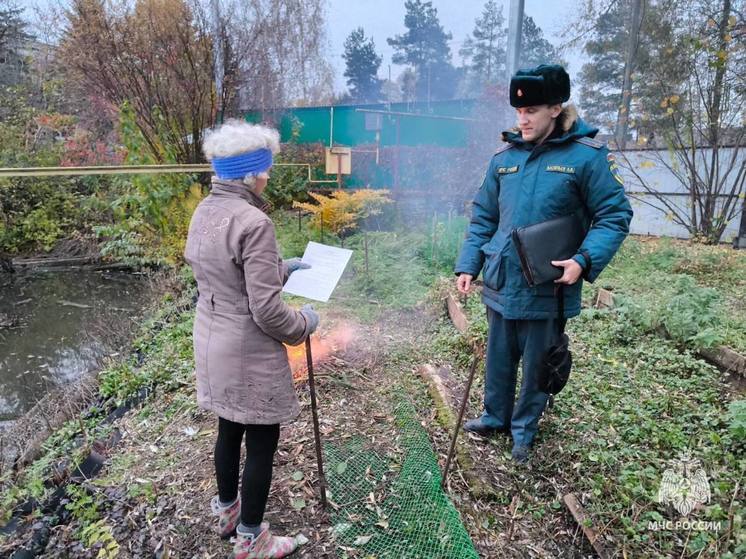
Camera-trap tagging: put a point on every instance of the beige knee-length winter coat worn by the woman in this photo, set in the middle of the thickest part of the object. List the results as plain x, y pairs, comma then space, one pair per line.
241, 322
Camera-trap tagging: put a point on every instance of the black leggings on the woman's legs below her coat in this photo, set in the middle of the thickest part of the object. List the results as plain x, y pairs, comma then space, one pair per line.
261, 444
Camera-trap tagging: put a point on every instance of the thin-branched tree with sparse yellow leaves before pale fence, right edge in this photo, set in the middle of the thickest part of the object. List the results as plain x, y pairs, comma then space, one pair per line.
704, 127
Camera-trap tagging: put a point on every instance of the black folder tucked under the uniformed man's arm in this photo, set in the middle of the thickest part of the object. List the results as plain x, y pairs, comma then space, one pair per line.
537, 245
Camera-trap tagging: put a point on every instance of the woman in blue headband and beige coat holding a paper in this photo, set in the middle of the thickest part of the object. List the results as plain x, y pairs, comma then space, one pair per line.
240, 327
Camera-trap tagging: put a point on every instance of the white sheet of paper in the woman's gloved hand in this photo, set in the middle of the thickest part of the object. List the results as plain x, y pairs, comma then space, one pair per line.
318, 282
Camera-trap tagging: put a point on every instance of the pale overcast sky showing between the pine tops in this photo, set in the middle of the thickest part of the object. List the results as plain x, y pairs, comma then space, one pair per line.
385, 18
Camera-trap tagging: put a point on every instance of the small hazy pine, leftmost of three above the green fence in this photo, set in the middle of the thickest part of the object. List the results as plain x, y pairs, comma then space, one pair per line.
362, 67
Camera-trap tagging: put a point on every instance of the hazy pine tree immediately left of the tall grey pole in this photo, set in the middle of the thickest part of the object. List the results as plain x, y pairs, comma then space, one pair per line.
484, 51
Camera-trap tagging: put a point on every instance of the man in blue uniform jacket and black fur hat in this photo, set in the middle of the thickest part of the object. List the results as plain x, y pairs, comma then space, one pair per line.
550, 166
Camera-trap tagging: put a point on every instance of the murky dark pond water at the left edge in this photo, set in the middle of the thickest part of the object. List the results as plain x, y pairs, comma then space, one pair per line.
56, 326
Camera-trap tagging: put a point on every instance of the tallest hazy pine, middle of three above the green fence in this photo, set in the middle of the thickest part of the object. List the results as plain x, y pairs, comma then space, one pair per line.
425, 47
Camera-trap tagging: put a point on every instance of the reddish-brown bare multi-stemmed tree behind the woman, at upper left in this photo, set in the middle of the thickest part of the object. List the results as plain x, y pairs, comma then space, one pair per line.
151, 55
